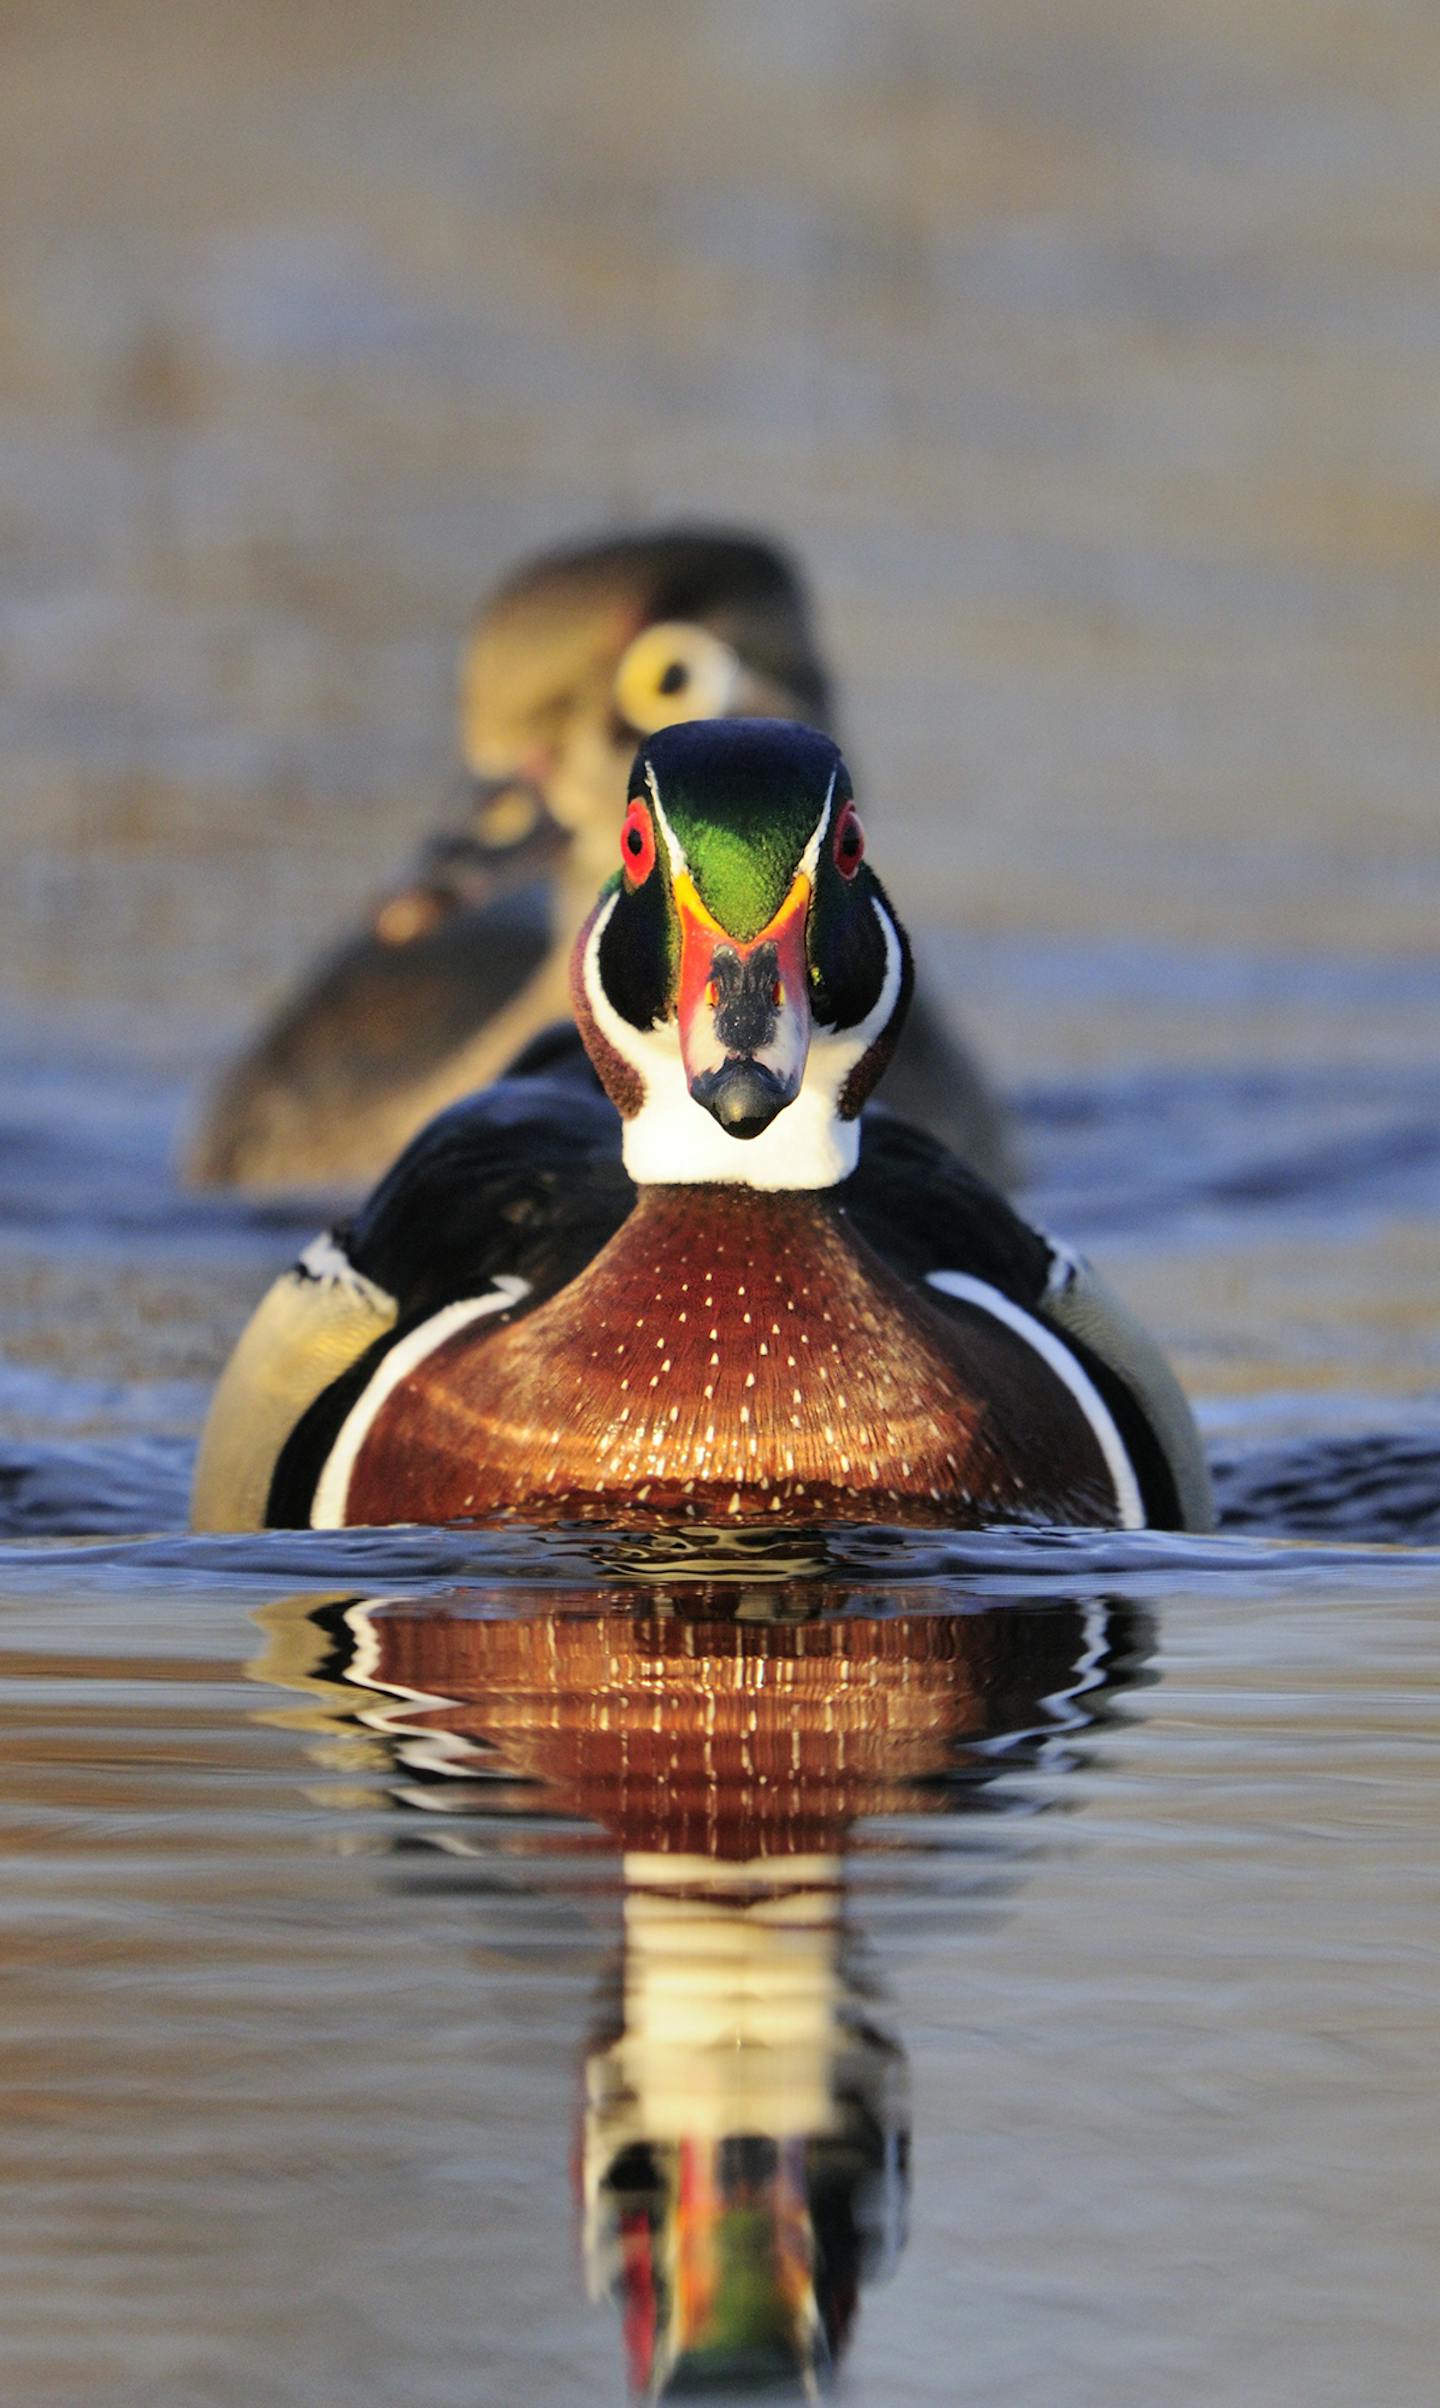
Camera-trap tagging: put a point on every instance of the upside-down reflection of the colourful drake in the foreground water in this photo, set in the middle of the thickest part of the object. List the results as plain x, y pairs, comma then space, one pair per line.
745, 2113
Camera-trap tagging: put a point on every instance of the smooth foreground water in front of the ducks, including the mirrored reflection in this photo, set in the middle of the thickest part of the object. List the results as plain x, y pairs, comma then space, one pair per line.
452, 1971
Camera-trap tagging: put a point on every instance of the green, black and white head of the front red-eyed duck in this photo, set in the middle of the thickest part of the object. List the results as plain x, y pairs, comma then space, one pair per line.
743, 981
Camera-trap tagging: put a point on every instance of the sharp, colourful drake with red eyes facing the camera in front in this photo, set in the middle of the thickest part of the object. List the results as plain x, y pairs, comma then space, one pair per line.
714, 1289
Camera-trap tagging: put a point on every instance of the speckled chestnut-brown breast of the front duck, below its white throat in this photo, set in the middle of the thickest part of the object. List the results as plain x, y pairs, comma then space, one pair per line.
733, 1354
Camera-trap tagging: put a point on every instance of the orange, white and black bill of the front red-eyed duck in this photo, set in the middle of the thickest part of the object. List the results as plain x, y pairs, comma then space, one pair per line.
743, 1010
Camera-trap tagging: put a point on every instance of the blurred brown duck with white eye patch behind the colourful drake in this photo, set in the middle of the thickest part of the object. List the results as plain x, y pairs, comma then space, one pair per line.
466, 960
